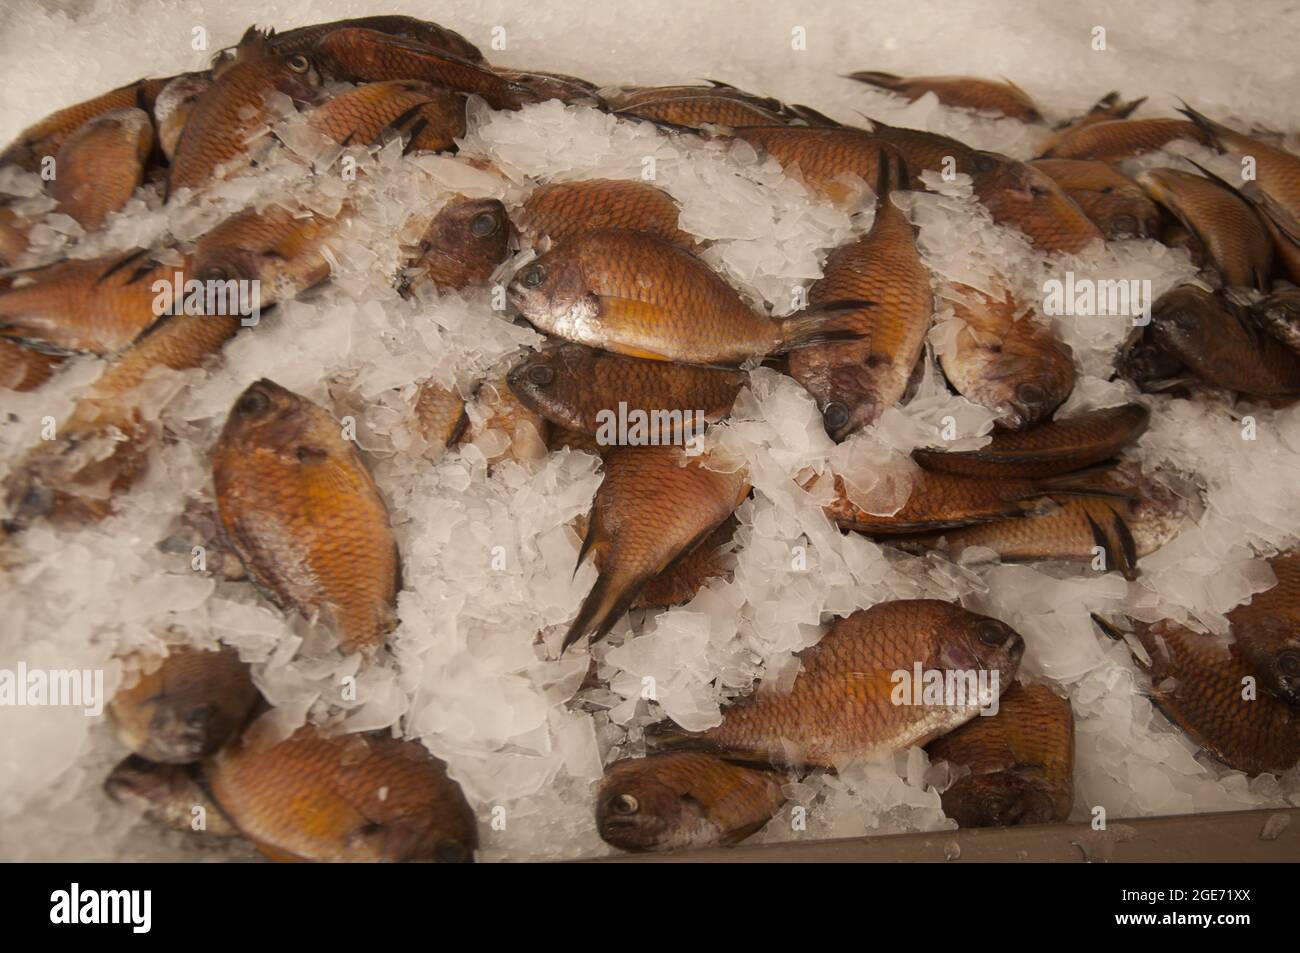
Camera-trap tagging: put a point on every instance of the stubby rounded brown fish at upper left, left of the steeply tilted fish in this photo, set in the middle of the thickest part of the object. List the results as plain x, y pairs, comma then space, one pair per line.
99, 167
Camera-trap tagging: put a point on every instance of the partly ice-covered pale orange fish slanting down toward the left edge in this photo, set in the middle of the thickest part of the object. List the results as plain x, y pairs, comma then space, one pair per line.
103, 448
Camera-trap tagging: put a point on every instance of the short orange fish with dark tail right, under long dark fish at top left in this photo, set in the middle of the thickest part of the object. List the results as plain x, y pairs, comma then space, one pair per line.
432, 118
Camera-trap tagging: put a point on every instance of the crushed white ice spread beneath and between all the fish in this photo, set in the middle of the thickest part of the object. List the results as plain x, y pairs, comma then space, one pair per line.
489, 551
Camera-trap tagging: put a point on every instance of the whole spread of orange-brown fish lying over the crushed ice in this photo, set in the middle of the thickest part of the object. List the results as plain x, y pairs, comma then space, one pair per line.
636, 318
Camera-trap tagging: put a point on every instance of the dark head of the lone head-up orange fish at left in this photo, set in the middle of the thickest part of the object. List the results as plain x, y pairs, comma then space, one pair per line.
267, 417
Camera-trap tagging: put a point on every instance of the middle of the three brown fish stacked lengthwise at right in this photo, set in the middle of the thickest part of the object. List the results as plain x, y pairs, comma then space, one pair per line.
946, 501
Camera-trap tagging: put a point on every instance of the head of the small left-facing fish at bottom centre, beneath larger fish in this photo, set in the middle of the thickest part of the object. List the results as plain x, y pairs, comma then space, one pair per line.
643, 813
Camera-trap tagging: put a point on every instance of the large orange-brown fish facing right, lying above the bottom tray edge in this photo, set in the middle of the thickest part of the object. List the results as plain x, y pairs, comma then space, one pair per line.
848, 700
